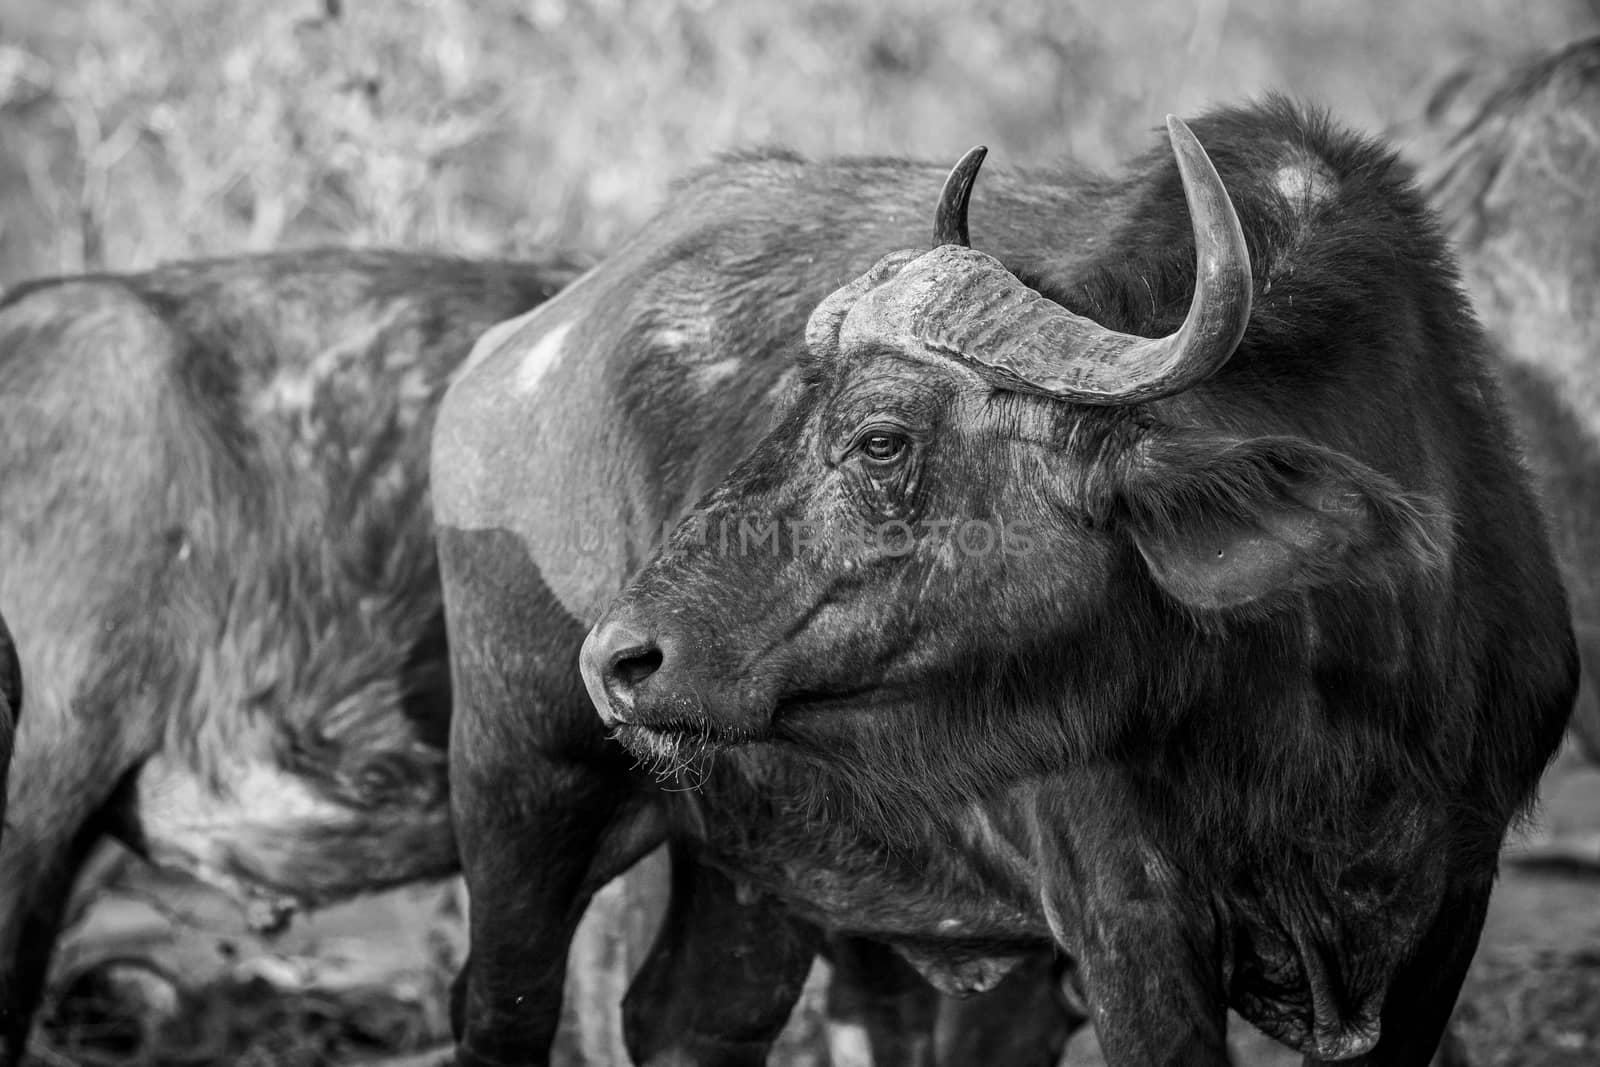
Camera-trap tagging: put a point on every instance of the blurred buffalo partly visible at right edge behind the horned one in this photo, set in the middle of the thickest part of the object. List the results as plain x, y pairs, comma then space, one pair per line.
1519, 191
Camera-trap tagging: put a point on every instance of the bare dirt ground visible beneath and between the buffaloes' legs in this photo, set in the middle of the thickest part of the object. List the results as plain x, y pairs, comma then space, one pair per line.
159, 972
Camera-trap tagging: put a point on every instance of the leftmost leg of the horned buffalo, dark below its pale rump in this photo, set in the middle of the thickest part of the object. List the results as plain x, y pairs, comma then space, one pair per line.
543, 802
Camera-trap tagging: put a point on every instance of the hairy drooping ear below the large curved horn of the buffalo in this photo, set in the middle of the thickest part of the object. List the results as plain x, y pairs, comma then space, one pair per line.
1226, 522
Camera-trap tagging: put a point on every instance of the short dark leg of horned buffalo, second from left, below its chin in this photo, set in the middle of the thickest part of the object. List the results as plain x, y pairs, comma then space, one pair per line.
722, 978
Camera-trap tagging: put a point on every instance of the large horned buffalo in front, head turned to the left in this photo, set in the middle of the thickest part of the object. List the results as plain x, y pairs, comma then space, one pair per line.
1028, 596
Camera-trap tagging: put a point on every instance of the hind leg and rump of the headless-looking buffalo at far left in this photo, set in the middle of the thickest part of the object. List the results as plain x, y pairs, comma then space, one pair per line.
84, 481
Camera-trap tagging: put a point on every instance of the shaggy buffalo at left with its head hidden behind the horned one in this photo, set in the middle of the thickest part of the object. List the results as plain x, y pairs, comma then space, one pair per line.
218, 556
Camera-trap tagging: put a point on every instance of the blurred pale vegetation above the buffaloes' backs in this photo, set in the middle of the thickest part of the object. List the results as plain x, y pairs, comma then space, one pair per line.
145, 130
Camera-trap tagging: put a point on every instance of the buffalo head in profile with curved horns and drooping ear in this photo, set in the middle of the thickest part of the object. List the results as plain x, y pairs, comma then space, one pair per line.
978, 502
